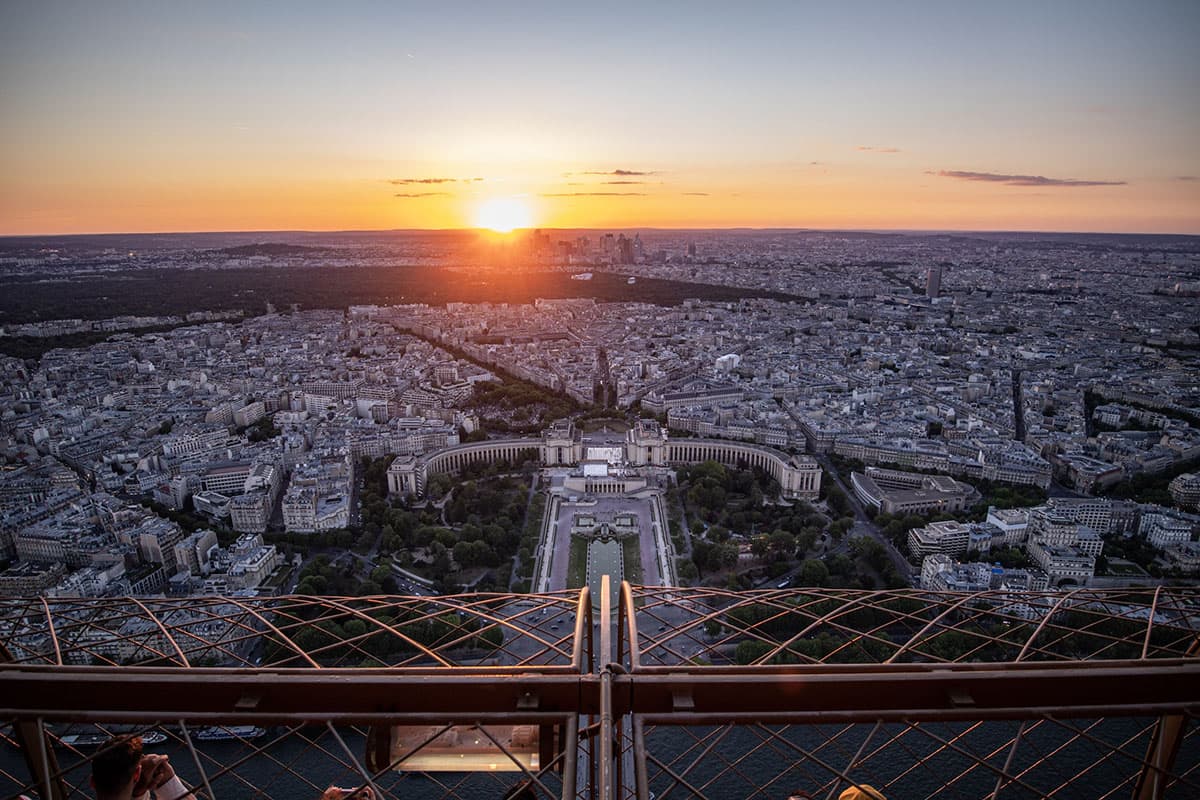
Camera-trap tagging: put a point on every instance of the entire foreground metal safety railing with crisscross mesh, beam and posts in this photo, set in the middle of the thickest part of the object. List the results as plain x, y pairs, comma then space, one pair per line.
674, 694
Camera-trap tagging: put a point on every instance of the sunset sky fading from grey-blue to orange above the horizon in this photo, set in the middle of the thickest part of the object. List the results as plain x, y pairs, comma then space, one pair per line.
1048, 116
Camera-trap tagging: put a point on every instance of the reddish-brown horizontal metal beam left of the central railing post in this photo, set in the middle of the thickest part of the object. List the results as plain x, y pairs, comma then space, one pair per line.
278, 697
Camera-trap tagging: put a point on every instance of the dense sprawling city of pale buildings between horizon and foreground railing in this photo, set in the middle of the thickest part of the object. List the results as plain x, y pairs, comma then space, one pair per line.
986, 411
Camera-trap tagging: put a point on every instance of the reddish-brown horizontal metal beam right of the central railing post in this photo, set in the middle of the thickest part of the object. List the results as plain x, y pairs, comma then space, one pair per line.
697, 696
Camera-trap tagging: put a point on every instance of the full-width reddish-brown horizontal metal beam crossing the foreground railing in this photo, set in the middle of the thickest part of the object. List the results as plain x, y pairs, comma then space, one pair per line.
689, 696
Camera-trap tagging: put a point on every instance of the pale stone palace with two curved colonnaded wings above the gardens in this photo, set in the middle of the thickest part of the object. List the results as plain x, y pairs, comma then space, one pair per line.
645, 446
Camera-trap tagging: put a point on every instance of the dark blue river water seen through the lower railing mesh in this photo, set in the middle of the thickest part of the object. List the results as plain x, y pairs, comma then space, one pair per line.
734, 768
